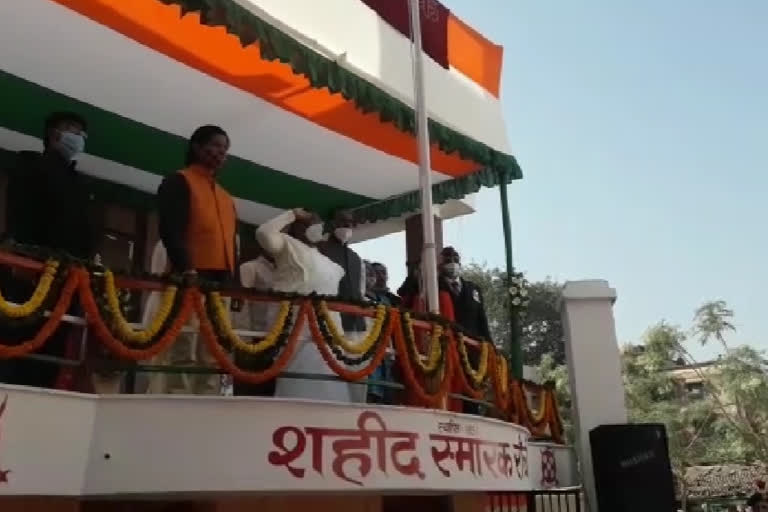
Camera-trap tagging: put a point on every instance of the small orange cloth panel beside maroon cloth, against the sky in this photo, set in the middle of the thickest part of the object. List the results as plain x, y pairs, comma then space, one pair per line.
474, 55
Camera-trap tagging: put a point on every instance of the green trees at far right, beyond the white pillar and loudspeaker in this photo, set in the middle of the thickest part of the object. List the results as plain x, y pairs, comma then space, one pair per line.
729, 424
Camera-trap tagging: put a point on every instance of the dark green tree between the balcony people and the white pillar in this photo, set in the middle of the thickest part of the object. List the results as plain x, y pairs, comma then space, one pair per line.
541, 330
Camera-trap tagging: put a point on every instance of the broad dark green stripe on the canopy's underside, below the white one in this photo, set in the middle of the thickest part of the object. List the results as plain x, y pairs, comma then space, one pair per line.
25, 106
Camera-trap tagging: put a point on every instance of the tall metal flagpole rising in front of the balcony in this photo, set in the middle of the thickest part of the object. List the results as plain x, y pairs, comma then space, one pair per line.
429, 257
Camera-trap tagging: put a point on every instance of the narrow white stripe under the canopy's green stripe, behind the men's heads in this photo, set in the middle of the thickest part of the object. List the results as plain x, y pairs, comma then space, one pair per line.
247, 211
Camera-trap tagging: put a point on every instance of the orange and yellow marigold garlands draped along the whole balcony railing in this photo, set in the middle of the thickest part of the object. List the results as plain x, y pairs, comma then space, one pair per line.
509, 394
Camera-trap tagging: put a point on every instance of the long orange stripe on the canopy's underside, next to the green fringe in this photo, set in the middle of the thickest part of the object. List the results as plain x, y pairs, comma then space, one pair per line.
214, 52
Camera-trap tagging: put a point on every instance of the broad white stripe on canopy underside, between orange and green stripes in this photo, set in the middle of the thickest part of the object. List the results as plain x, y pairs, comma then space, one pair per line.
117, 74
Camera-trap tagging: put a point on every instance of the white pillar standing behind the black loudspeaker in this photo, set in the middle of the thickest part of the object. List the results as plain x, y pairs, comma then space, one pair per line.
594, 367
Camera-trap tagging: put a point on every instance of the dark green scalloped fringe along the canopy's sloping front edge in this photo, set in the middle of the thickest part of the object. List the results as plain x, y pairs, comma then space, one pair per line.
326, 73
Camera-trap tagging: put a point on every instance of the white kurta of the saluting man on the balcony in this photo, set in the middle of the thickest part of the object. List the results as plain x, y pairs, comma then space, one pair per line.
302, 269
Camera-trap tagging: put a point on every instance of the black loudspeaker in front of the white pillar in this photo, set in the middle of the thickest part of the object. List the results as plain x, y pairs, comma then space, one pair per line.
631, 468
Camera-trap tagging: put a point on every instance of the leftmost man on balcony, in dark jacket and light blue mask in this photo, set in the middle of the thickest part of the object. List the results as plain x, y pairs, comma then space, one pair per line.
48, 207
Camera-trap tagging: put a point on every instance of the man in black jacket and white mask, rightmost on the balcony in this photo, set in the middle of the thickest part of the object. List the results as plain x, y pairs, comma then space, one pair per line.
468, 305
